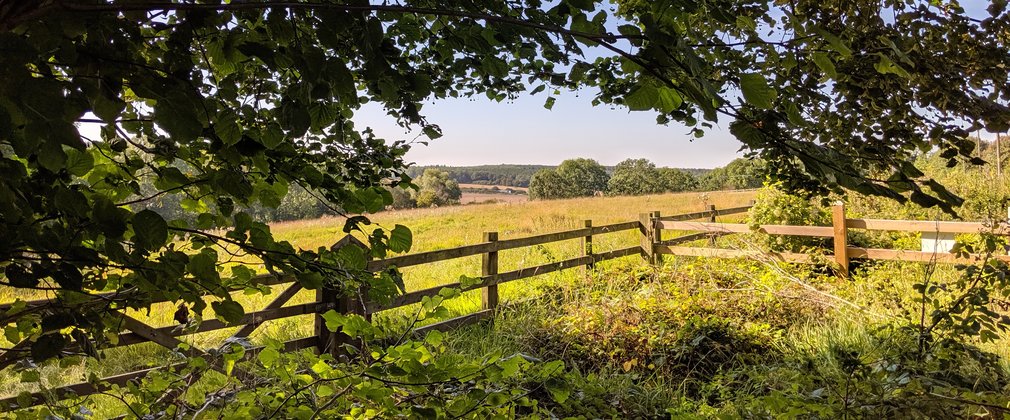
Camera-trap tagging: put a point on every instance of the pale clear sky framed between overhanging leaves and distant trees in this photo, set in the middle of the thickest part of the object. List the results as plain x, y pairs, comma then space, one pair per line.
482, 132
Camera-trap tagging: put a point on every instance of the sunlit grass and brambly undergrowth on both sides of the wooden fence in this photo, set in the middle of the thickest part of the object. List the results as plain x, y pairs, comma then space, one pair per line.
689, 339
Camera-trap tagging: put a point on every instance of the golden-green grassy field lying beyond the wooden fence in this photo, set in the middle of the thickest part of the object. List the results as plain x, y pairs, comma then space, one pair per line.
433, 230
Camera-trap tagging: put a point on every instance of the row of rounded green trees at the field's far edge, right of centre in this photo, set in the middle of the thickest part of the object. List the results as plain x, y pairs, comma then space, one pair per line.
585, 177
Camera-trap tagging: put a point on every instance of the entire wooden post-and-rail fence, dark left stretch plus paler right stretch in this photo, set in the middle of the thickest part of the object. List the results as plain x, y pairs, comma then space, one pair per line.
653, 248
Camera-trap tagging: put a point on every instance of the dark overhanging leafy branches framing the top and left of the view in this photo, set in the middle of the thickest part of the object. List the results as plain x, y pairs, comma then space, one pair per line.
230, 106
